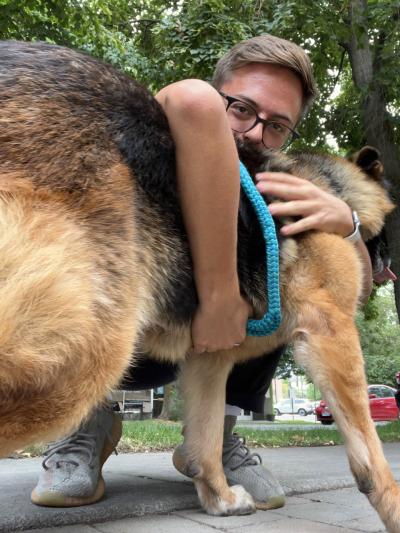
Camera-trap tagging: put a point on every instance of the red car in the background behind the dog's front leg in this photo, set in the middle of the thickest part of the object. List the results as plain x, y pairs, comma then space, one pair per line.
381, 402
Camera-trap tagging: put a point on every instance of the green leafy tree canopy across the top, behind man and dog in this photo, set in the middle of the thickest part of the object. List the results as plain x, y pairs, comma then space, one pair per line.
161, 41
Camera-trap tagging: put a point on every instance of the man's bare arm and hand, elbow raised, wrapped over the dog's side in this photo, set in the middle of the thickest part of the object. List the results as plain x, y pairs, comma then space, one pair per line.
208, 181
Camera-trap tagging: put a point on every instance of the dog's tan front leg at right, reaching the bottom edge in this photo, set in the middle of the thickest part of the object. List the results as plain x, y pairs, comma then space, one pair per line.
326, 343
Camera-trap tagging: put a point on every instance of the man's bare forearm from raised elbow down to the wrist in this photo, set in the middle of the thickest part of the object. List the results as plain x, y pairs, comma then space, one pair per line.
208, 181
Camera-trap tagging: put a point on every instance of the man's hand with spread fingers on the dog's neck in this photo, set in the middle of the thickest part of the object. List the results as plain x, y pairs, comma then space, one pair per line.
317, 209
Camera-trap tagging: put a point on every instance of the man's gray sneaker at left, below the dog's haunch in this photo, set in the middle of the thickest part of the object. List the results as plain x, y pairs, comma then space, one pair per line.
71, 473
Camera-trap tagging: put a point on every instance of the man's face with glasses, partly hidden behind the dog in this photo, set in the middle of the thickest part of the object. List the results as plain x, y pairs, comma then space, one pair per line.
273, 91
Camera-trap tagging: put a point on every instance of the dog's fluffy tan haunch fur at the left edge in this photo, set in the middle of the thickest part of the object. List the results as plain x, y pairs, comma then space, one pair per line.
63, 341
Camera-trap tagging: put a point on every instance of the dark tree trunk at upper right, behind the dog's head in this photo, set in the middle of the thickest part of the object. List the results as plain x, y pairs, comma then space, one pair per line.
365, 63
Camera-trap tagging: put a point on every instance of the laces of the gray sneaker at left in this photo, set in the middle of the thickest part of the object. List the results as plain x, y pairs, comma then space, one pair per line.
78, 442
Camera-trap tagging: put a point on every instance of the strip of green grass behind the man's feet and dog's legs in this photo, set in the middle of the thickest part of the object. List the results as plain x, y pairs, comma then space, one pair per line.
157, 435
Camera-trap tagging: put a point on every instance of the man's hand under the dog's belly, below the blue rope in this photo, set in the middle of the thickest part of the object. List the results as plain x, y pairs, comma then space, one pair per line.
220, 323
